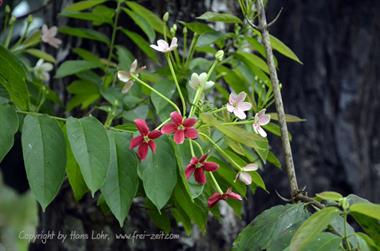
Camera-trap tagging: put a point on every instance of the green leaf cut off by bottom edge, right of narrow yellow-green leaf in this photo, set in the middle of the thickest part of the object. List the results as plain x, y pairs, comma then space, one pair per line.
324, 242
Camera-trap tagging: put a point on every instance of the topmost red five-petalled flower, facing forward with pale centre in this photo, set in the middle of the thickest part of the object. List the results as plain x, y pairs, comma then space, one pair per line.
182, 128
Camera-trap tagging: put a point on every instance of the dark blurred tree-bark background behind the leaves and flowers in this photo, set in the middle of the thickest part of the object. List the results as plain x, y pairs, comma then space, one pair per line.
336, 90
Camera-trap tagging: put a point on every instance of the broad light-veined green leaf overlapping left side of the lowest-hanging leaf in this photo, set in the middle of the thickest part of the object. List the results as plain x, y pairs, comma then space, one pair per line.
90, 146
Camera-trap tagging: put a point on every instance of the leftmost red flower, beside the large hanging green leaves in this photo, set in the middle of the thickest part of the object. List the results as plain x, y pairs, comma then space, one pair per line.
145, 139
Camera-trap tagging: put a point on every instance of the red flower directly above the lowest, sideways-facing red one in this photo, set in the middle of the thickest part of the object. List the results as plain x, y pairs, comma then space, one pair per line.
198, 167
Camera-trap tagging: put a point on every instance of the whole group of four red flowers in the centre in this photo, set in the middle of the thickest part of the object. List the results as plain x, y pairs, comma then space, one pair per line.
181, 128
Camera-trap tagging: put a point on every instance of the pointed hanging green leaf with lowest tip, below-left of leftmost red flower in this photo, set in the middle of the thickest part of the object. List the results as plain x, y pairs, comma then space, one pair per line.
121, 184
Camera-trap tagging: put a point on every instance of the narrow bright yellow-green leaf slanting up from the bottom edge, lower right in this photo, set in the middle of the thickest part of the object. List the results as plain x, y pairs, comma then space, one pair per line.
312, 227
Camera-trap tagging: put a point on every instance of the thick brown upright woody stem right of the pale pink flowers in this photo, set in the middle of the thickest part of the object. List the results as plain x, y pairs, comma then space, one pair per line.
278, 101
